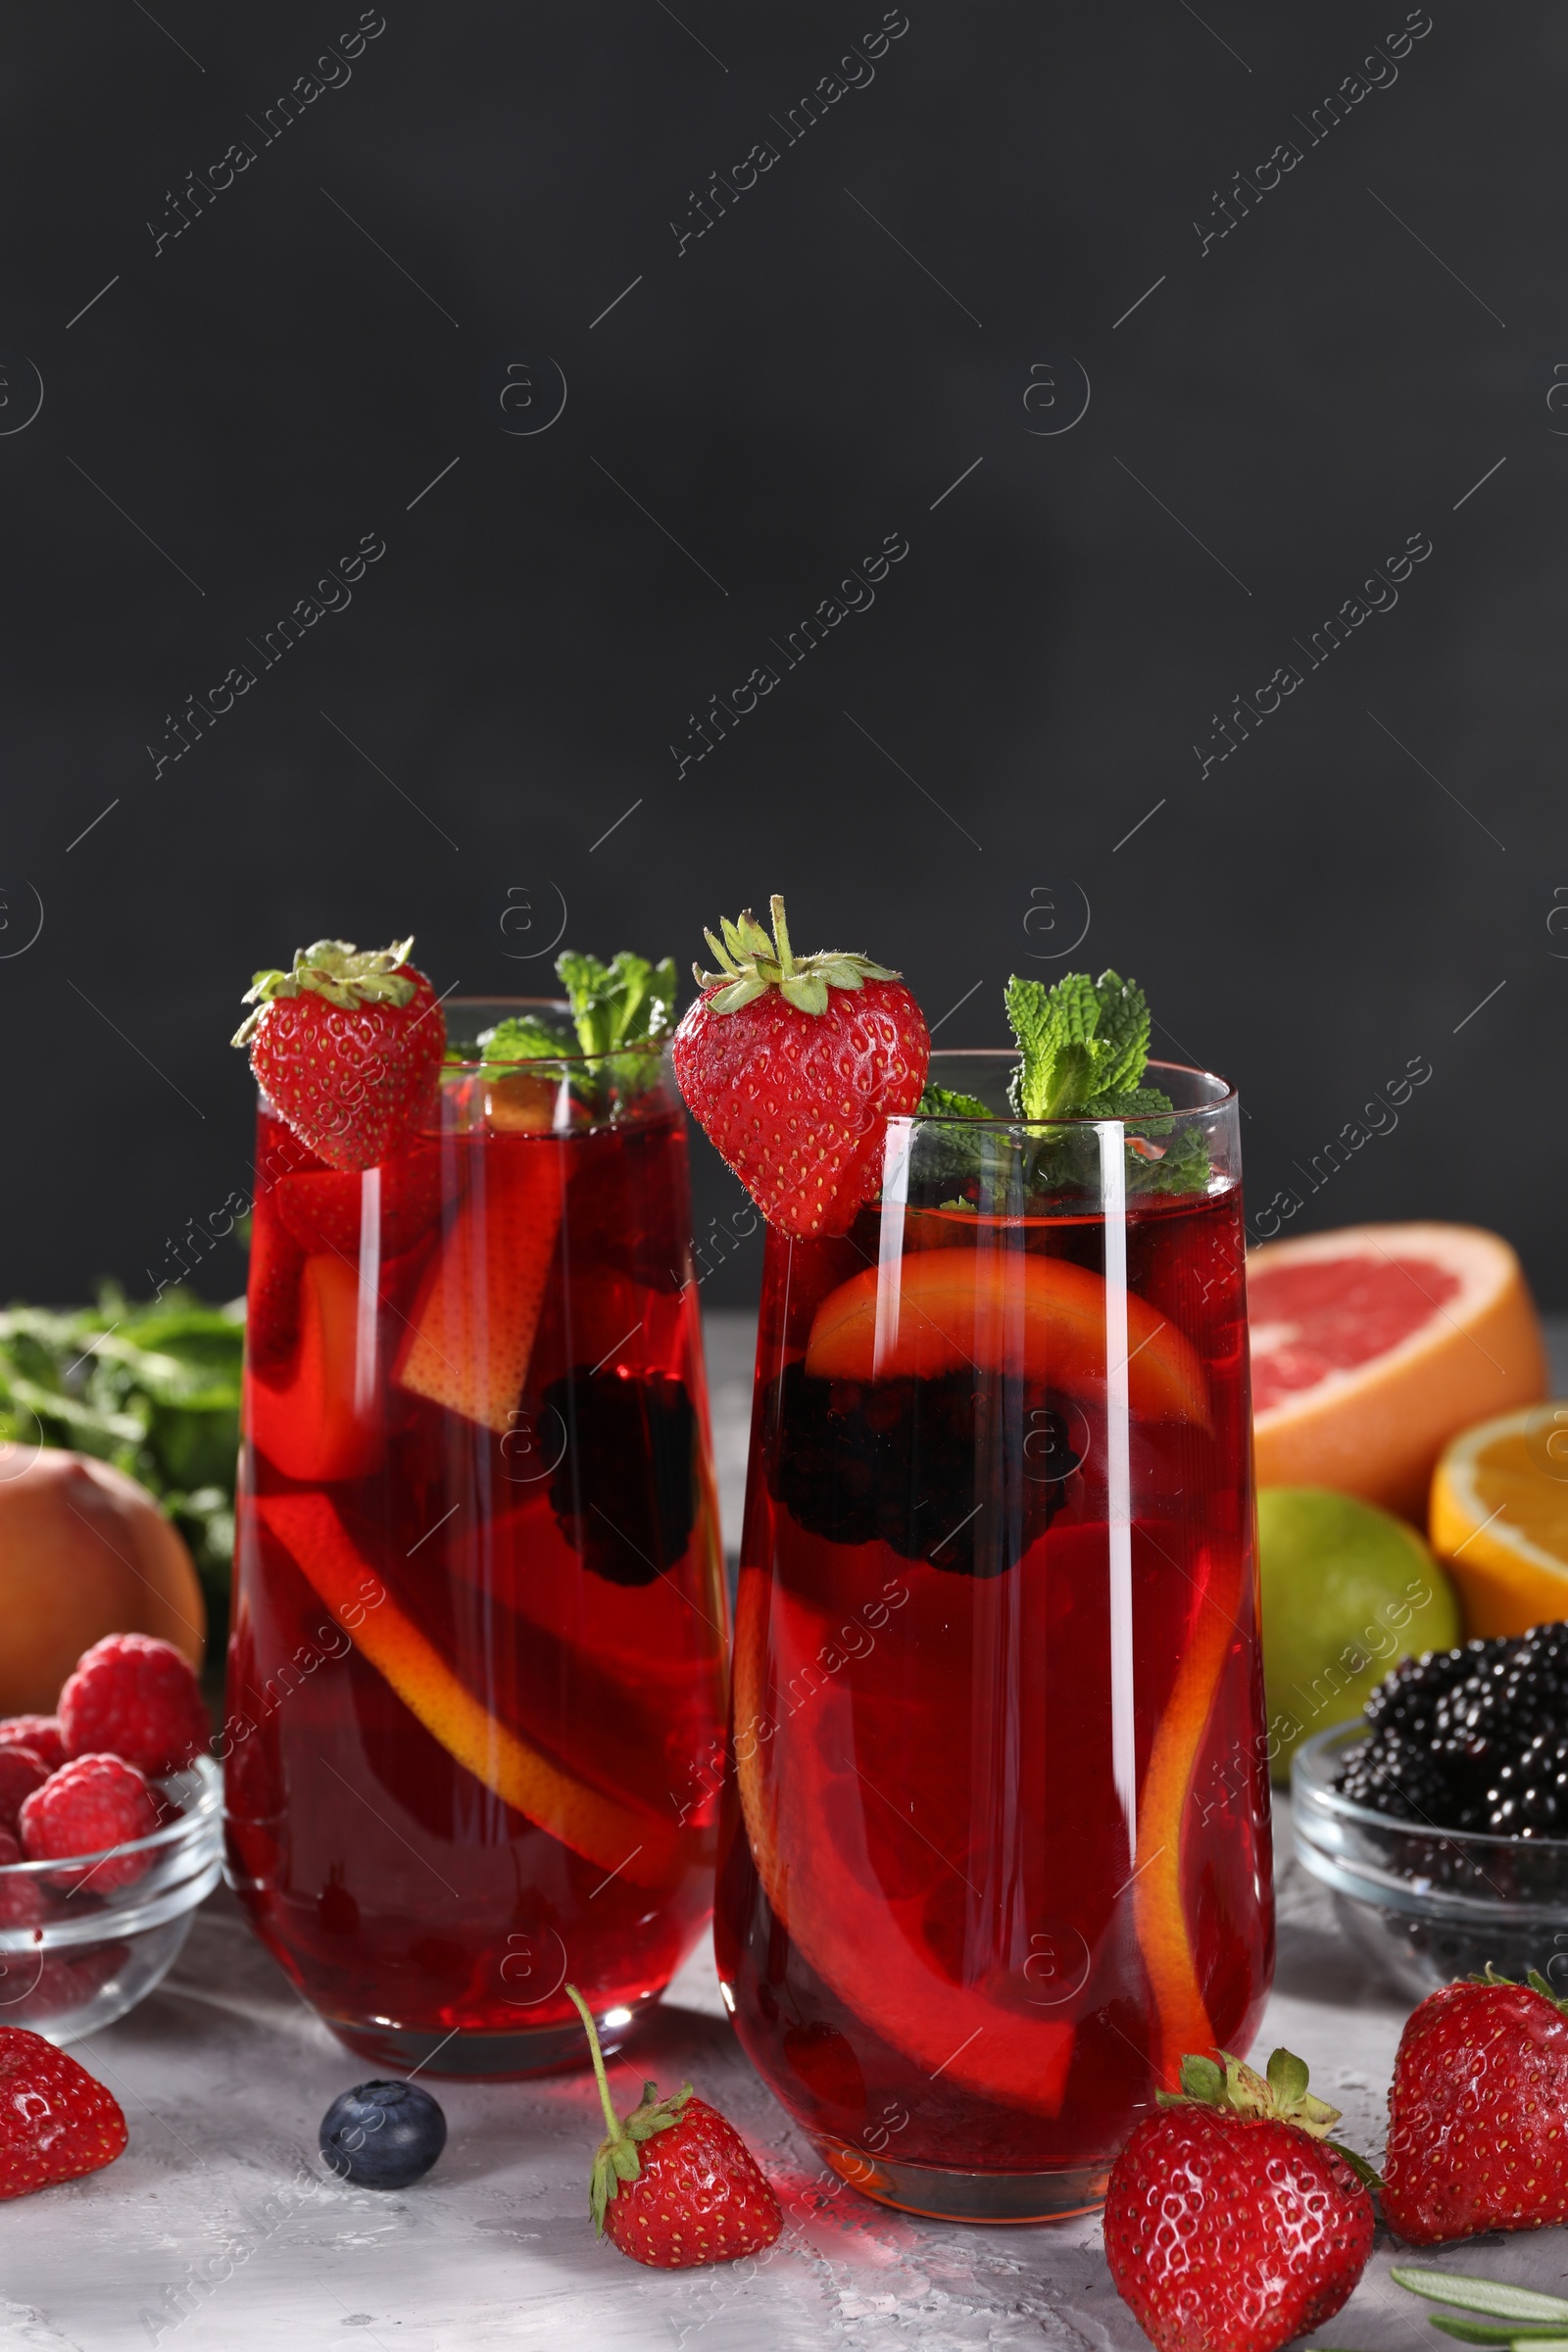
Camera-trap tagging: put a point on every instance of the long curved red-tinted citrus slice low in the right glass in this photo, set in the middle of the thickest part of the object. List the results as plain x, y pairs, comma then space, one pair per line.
852, 1935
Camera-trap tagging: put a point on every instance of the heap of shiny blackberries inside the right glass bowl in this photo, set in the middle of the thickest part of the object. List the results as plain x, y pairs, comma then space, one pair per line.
1470, 1739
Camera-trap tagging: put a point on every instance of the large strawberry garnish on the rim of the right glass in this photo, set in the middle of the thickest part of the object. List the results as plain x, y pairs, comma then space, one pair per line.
793, 1064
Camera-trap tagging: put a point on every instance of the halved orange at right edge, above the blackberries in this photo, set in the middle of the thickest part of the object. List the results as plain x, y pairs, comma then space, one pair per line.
1501, 1518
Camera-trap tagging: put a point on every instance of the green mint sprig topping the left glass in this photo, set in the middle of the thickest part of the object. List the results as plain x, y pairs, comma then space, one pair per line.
615, 1010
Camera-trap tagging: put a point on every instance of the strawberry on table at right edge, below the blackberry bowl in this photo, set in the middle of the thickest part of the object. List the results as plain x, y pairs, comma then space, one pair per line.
1480, 2113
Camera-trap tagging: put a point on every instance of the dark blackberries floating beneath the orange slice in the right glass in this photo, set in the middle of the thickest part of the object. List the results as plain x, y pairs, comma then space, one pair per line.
930, 1469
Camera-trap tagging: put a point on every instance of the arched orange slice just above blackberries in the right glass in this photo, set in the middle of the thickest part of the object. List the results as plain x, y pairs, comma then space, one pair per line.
1003, 1311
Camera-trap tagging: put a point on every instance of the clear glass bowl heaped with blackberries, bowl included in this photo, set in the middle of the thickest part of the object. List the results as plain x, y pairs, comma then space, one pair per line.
1440, 1822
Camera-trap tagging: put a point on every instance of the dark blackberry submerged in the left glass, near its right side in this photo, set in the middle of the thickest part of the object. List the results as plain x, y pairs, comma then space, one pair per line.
624, 1488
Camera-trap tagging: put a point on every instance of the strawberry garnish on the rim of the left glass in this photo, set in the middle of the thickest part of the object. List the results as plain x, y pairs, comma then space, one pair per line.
347, 1048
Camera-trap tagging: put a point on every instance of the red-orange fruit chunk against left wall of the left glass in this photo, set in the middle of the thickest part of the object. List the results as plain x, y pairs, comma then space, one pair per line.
309, 1429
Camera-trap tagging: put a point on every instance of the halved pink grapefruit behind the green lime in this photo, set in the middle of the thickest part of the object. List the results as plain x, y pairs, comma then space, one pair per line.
1376, 1344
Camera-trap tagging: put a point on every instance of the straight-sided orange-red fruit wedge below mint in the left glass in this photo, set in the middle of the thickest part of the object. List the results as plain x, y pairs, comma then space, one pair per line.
476, 1318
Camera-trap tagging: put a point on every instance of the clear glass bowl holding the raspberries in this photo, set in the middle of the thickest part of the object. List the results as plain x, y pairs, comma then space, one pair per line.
76, 1953
